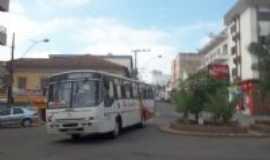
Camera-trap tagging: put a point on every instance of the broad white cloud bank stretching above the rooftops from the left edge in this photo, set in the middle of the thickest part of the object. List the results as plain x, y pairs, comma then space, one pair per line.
100, 35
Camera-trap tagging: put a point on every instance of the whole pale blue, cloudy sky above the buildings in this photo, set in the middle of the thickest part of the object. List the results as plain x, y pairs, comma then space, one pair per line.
114, 26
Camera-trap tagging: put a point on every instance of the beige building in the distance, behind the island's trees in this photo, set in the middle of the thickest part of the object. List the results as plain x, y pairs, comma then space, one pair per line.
183, 66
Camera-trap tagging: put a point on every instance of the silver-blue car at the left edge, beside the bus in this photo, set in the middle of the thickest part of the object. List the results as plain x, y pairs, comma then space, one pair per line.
17, 116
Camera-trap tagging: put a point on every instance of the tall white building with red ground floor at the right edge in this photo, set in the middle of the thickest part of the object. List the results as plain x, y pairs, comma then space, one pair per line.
247, 22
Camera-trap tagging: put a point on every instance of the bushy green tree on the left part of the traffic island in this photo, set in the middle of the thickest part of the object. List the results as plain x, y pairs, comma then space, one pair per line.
194, 93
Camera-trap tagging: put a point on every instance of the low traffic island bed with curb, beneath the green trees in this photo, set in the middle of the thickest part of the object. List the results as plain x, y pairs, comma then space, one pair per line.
212, 130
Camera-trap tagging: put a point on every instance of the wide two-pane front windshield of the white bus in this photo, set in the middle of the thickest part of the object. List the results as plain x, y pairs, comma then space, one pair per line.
75, 94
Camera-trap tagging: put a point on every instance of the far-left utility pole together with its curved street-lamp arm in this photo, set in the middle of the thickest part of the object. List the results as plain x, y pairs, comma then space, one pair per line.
10, 97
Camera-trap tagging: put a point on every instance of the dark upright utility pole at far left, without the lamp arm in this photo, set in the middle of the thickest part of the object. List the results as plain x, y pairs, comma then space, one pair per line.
11, 72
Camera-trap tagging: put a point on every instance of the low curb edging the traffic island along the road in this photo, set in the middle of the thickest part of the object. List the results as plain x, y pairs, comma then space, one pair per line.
251, 134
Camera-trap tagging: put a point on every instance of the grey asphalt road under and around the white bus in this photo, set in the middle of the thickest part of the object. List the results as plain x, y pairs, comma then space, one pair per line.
134, 144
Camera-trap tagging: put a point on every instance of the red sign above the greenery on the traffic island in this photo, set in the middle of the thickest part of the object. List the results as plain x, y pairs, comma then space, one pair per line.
219, 71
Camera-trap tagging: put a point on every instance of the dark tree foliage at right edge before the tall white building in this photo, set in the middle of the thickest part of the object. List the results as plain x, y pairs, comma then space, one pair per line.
261, 50
